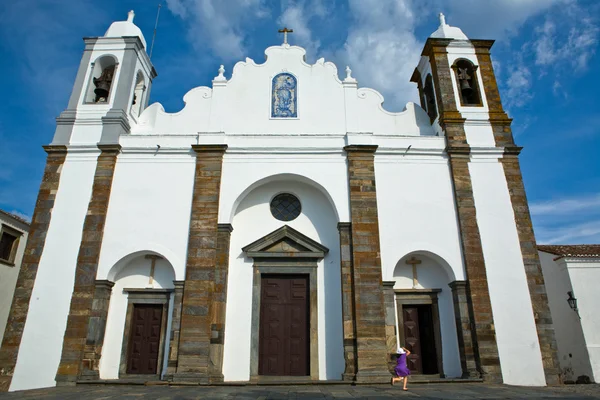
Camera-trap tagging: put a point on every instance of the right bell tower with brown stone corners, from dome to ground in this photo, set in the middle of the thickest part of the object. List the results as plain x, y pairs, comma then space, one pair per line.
458, 89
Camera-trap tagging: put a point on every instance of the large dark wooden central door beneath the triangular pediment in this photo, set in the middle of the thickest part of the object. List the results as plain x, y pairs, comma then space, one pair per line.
284, 326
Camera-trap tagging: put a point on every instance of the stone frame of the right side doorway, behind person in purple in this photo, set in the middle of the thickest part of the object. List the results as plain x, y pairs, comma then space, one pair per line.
421, 297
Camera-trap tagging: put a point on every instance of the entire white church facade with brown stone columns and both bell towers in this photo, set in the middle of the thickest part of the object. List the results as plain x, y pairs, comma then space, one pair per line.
282, 224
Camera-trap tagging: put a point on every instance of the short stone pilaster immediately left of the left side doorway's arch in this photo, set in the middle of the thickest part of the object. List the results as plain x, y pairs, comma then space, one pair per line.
96, 330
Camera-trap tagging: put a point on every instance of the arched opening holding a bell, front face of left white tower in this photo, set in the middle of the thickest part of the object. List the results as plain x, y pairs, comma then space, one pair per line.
102, 77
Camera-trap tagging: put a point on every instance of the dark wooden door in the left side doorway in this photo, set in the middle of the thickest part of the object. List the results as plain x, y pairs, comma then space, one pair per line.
144, 340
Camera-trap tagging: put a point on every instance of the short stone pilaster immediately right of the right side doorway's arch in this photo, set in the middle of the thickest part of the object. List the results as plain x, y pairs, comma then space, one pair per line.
464, 322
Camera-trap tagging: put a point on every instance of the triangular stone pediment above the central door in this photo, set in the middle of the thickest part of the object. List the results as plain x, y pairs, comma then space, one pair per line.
285, 242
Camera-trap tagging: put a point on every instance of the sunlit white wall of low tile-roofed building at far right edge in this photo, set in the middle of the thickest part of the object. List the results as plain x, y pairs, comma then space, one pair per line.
585, 275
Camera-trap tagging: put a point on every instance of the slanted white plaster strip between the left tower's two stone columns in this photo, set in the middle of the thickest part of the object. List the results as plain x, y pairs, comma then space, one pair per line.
41, 345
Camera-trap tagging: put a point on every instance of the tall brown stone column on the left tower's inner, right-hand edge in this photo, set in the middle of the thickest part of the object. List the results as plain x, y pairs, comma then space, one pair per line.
80, 312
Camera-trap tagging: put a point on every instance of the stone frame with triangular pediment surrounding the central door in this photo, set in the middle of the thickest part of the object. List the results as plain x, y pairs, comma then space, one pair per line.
285, 252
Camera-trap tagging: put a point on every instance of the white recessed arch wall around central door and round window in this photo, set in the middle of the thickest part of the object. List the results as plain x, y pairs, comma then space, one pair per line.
252, 221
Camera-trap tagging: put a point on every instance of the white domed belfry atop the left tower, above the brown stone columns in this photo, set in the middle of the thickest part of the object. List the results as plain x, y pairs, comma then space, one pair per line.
111, 89
